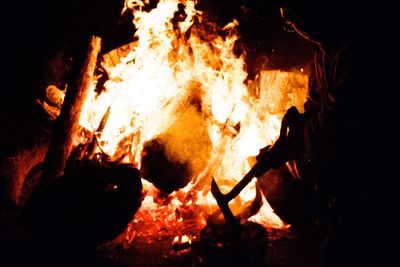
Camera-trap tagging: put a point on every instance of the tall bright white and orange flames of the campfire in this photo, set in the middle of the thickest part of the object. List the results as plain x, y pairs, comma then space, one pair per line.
182, 83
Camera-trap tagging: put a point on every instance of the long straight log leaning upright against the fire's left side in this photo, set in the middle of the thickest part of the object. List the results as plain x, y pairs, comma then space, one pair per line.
67, 124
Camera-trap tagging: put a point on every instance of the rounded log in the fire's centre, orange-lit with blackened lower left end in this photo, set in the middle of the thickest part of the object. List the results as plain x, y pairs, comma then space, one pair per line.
171, 160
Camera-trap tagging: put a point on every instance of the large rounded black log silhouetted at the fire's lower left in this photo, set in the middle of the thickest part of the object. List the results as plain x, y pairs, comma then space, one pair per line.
88, 205
